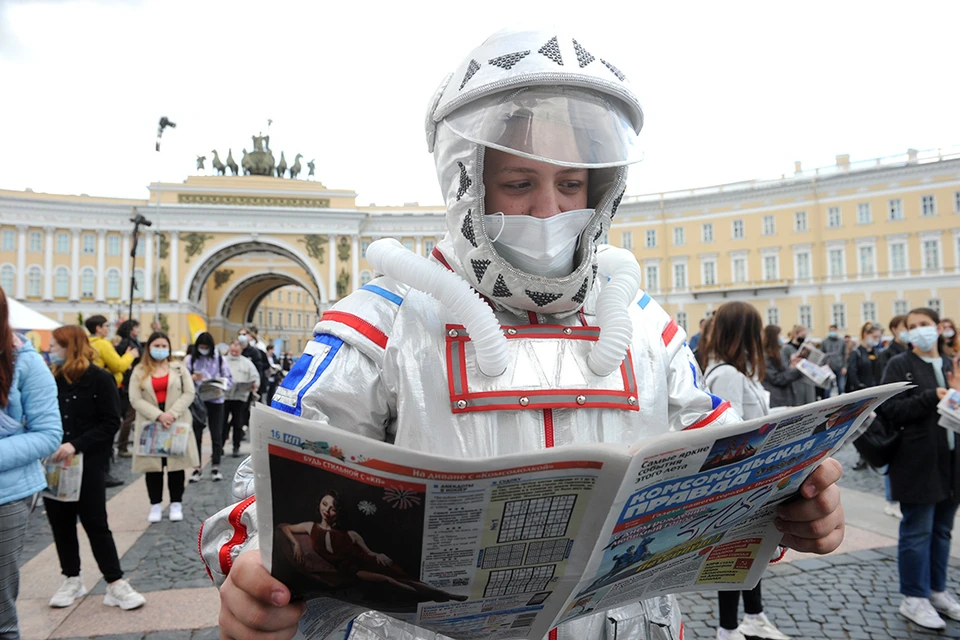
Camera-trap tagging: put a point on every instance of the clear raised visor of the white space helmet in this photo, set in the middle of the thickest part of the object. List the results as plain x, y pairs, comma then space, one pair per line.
560, 125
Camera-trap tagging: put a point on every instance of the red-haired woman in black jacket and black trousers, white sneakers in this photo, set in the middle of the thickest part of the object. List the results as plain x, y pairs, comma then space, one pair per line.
90, 410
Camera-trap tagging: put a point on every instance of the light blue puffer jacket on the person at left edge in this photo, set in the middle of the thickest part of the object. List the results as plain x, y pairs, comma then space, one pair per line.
32, 403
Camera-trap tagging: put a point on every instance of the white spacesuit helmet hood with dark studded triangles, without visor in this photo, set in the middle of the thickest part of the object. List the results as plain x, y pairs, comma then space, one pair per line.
506, 61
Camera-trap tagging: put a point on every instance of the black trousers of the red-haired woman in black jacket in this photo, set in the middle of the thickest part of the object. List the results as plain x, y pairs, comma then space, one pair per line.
92, 511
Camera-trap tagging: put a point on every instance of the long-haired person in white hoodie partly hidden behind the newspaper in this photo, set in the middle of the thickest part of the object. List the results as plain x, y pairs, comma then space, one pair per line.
733, 361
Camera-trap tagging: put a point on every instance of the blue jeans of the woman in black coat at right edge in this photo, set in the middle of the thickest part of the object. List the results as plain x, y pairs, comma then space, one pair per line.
923, 552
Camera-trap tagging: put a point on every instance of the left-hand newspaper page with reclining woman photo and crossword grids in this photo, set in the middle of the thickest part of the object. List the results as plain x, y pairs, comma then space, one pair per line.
469, 548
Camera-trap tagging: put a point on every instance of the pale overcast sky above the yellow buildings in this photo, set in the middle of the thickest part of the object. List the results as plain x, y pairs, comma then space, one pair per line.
731, 90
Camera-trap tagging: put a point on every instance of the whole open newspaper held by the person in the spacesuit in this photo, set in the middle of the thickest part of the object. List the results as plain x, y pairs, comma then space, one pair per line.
509, 547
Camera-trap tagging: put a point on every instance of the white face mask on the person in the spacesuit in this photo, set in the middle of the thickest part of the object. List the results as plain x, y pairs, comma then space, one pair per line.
540, 246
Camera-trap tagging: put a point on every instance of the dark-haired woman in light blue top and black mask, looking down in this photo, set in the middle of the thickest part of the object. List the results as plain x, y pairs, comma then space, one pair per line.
211, 374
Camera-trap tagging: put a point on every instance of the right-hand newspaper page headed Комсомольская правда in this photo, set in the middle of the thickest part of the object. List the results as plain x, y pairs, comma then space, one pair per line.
696, 510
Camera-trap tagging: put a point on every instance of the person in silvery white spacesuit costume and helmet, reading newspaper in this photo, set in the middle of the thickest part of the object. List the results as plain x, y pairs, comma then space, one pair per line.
458, 355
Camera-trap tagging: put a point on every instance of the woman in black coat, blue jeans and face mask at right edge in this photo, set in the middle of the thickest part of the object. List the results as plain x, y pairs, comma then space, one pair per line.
924, 472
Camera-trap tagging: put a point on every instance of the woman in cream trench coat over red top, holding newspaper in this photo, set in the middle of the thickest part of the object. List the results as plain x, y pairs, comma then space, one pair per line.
161, 390
